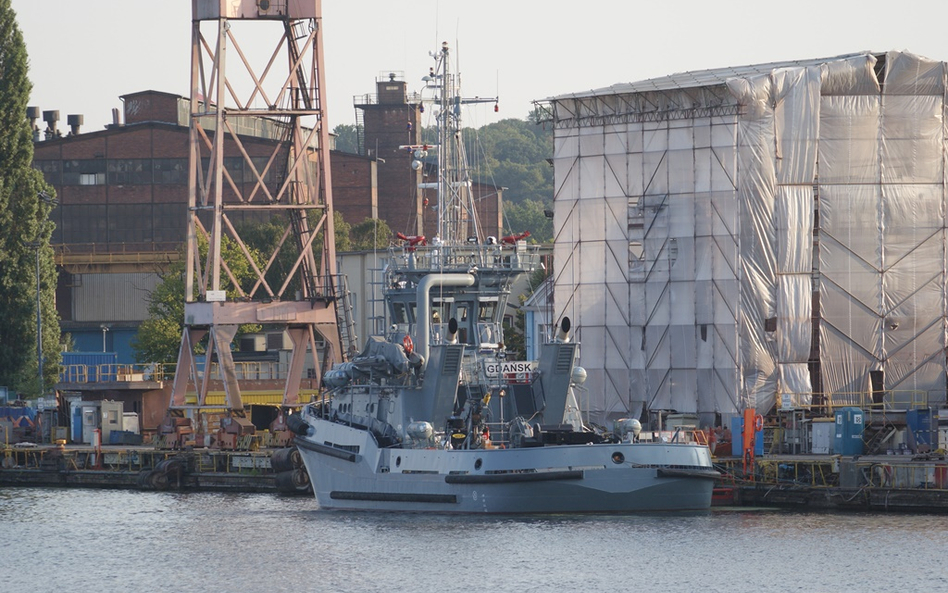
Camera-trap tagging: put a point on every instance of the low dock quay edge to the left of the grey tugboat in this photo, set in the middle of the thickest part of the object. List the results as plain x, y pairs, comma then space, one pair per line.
148, 468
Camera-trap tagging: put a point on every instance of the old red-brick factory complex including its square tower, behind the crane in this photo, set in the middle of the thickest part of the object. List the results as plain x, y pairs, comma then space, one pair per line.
122, 198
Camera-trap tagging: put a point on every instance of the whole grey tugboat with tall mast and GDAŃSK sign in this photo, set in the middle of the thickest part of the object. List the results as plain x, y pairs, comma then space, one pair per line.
433, 417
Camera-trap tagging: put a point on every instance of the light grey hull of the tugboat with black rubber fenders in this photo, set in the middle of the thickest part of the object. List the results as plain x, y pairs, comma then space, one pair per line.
349, 471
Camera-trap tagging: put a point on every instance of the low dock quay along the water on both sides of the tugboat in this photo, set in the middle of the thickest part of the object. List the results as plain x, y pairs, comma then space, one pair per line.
877, 483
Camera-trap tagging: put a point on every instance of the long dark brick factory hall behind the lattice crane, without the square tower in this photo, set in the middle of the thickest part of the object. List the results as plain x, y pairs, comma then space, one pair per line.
121, 216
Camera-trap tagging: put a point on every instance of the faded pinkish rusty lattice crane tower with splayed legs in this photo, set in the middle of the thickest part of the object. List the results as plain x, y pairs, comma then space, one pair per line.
230, 95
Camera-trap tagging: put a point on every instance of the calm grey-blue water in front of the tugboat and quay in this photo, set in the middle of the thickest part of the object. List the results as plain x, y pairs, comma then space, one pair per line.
101, 540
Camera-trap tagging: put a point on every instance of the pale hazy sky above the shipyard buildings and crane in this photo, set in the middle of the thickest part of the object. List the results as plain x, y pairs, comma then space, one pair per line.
85, 54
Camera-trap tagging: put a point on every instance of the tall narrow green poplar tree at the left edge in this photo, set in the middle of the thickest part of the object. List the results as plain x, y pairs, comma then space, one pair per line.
25, 229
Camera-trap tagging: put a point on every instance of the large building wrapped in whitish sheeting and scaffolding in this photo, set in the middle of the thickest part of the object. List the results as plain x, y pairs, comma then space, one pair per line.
757, 236
